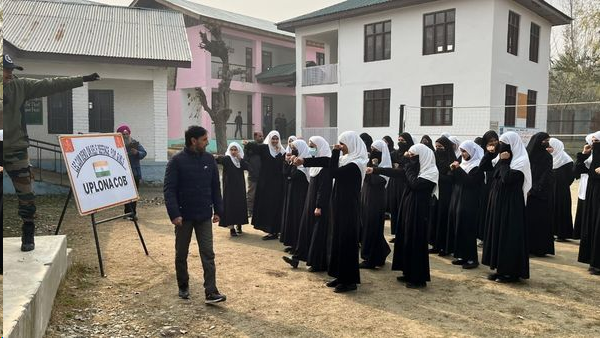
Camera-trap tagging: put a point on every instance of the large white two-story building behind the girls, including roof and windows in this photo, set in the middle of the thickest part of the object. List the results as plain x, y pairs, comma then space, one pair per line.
427, 66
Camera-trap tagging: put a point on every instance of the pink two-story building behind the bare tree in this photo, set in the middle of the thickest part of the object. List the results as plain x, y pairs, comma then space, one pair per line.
265, 91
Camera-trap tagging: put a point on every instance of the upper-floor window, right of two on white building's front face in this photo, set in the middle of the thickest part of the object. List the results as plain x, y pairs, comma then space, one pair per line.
438, 32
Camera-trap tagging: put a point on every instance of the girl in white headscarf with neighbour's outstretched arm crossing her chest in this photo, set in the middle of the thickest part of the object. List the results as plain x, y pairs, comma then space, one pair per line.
374, 248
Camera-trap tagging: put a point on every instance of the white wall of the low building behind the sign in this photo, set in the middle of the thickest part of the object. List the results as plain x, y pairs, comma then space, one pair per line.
139, 98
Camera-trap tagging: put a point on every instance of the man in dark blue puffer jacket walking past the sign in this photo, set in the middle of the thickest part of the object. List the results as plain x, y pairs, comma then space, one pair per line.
192, 191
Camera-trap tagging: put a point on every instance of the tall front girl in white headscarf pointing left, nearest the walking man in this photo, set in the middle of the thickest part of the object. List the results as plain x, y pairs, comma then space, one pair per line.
348, 172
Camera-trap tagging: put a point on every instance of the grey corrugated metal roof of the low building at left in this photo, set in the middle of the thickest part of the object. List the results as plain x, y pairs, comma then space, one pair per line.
95, 30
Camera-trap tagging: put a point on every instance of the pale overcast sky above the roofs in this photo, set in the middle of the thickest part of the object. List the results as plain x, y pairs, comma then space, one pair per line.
273, 10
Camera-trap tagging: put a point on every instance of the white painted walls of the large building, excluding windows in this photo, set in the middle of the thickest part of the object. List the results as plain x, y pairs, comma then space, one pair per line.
478, 67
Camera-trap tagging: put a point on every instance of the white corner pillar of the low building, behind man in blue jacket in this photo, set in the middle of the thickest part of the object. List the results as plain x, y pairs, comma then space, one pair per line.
159, 89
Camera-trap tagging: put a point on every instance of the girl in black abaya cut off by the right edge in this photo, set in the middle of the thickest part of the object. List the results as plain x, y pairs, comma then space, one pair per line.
589, 246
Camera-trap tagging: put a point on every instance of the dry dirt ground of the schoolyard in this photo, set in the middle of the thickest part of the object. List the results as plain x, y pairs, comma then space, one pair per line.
266, 298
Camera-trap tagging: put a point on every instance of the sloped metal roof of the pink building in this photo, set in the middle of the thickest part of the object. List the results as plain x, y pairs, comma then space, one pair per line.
223, 15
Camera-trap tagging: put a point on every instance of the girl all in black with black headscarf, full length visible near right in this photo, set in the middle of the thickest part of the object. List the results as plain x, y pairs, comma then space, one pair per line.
538, 211
